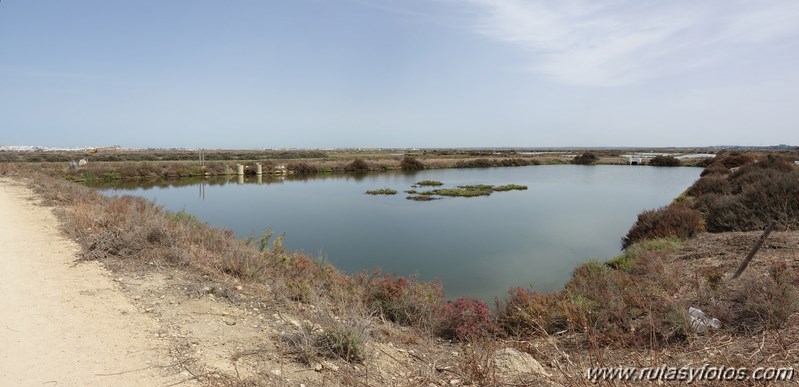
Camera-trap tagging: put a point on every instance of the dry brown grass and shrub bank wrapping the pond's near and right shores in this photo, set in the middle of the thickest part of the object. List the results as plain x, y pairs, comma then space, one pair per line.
630, 310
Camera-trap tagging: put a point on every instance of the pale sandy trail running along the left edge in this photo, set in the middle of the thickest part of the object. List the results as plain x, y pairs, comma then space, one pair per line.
67, 324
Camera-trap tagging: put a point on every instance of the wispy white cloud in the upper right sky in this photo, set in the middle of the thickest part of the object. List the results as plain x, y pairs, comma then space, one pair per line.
622, 42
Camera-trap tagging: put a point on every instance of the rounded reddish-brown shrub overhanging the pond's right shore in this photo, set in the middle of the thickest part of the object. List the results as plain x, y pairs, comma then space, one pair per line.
675, 220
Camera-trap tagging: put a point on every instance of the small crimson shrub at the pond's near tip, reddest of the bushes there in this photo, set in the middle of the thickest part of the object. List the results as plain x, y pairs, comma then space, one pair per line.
466, 319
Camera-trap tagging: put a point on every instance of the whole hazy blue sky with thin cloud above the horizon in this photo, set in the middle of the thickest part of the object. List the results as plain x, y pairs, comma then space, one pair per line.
387, 73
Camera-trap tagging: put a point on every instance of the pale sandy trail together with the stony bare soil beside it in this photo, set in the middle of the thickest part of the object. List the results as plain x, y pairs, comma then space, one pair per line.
73, 322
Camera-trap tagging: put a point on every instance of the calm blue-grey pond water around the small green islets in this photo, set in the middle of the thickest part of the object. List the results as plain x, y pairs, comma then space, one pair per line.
478, 246
